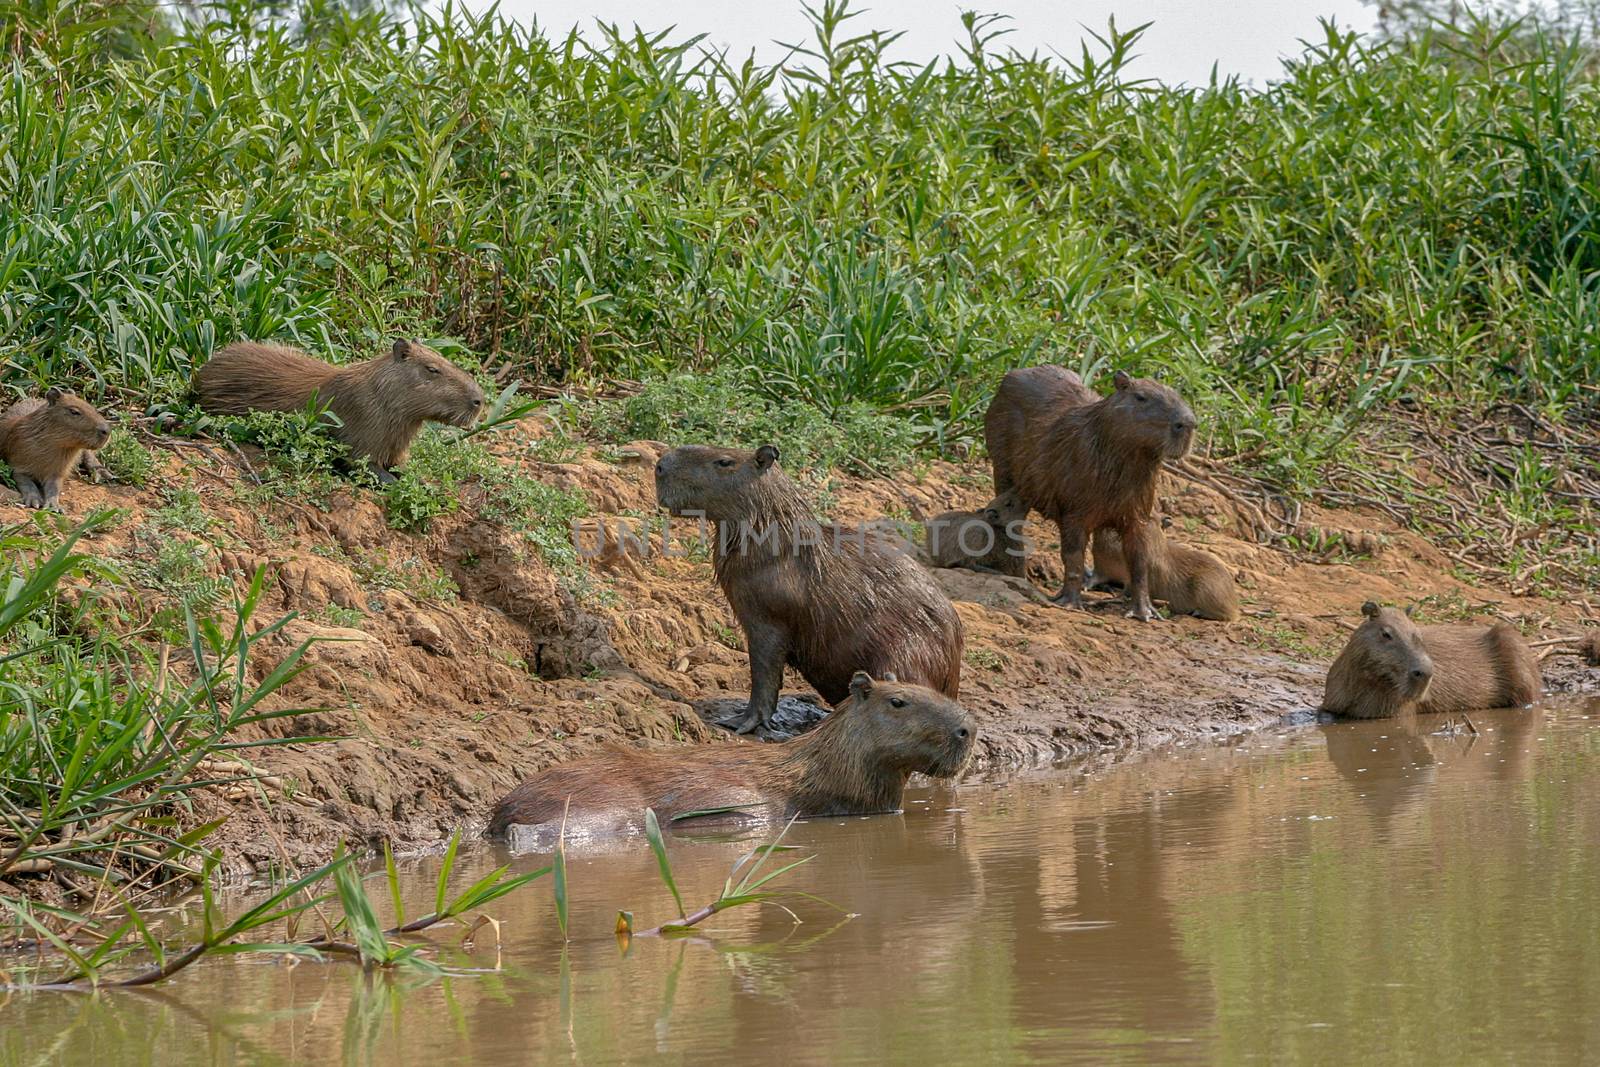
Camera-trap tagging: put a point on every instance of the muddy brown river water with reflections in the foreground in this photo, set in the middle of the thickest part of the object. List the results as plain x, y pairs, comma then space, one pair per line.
1350, 893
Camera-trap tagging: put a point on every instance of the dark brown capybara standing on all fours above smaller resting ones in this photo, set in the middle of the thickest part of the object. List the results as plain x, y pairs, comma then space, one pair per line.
1087, 462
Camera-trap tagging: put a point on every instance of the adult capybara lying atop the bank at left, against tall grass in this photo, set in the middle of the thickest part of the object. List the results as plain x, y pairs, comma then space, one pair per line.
382, 404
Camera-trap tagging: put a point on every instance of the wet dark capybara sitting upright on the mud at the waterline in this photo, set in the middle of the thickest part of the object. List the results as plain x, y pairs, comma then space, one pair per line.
825, 599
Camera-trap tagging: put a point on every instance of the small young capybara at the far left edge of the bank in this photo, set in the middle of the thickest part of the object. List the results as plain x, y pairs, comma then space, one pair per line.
44, 439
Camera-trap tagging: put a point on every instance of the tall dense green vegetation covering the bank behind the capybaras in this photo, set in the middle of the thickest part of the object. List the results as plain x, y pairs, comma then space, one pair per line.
842, 255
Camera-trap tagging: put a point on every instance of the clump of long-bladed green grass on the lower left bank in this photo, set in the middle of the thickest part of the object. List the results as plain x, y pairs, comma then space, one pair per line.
103, 737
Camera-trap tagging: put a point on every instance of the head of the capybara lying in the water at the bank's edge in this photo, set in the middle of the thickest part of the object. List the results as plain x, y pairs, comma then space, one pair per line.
910, 727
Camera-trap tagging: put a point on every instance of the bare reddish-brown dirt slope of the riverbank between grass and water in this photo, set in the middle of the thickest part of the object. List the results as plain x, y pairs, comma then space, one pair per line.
446, 701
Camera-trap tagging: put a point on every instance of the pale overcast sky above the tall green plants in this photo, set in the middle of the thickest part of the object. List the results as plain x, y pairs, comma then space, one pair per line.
1244, 38
